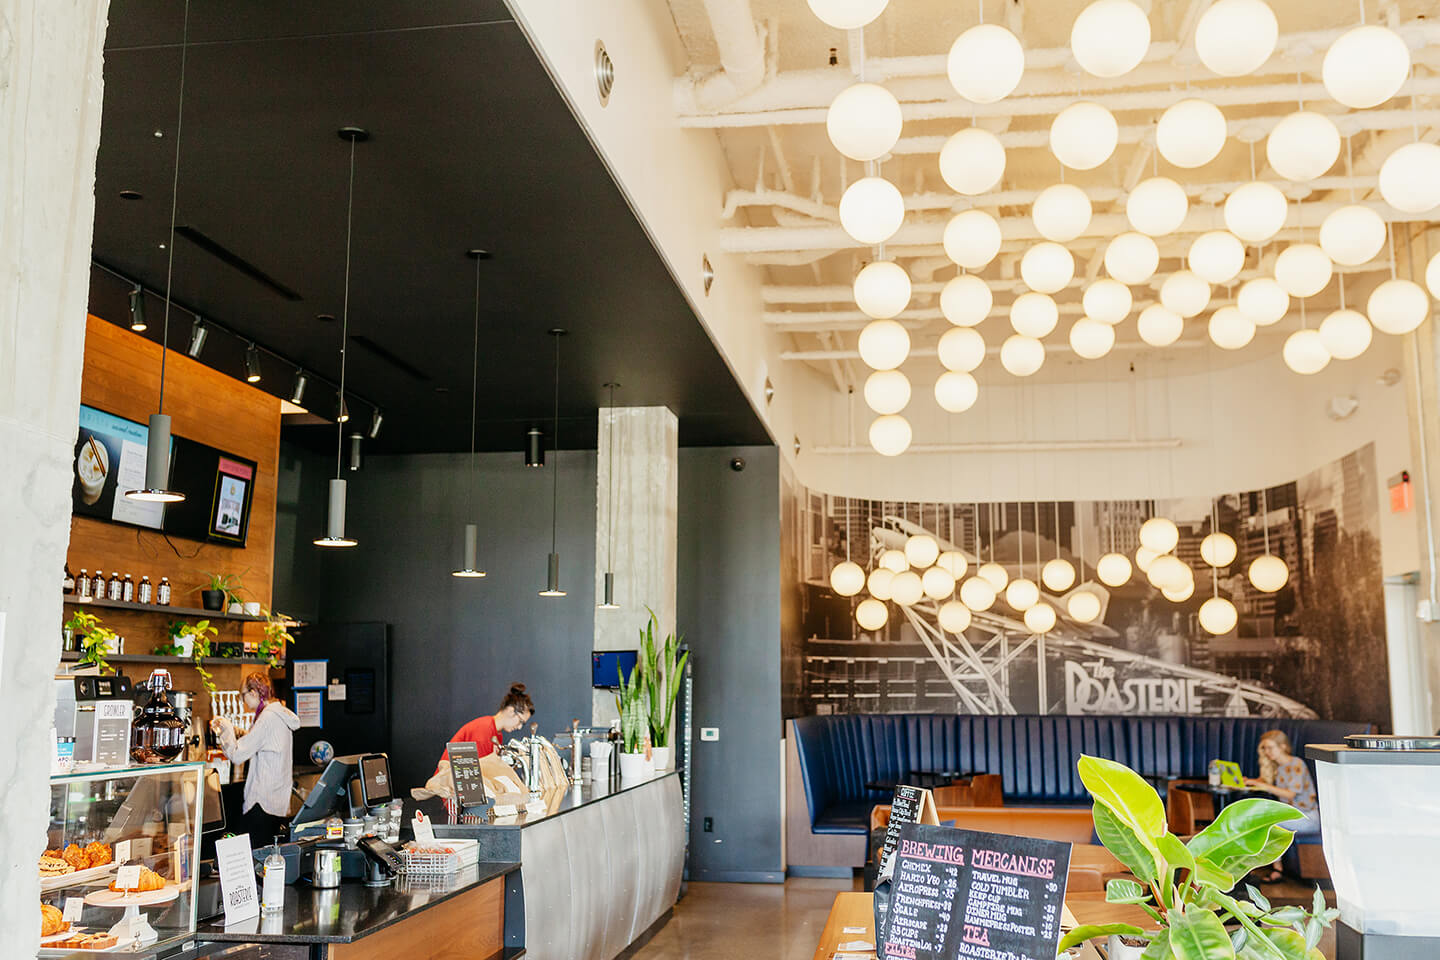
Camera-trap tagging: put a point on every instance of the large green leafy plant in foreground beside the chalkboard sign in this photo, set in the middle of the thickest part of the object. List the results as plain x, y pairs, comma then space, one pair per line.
1186, 886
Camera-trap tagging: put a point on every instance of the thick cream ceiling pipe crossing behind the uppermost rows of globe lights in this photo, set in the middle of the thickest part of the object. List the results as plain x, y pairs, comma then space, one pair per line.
1049, 74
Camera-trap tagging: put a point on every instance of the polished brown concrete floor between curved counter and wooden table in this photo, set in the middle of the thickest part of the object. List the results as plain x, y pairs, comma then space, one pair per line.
784, 922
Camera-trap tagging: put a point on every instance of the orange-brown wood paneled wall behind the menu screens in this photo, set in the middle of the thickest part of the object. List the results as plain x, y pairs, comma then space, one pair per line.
123, 378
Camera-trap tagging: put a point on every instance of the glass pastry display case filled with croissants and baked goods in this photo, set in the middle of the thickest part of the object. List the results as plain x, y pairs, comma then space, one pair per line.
119, 871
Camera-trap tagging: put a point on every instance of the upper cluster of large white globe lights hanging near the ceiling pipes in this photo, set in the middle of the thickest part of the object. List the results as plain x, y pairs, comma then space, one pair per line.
1364, 68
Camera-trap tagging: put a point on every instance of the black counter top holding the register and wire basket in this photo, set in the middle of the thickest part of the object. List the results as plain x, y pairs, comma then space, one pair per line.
352, 910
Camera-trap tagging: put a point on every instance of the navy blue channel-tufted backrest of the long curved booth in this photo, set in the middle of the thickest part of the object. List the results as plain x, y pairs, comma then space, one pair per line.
1036, 756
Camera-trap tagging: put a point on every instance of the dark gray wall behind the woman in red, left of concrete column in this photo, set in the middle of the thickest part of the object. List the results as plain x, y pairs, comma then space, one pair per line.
457, 646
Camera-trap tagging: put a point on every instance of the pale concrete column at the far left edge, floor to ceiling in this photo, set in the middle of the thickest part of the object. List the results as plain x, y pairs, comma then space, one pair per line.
51, 57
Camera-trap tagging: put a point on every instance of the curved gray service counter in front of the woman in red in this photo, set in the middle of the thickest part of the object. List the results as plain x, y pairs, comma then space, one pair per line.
600, 869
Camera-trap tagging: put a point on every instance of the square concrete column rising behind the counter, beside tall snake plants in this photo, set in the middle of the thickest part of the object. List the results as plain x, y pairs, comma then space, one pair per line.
644, 447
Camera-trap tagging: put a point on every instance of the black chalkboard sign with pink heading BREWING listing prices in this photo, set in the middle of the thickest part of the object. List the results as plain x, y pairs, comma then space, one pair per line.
970, 896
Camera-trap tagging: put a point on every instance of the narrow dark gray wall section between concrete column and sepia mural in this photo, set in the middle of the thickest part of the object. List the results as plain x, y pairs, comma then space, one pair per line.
729, 612
